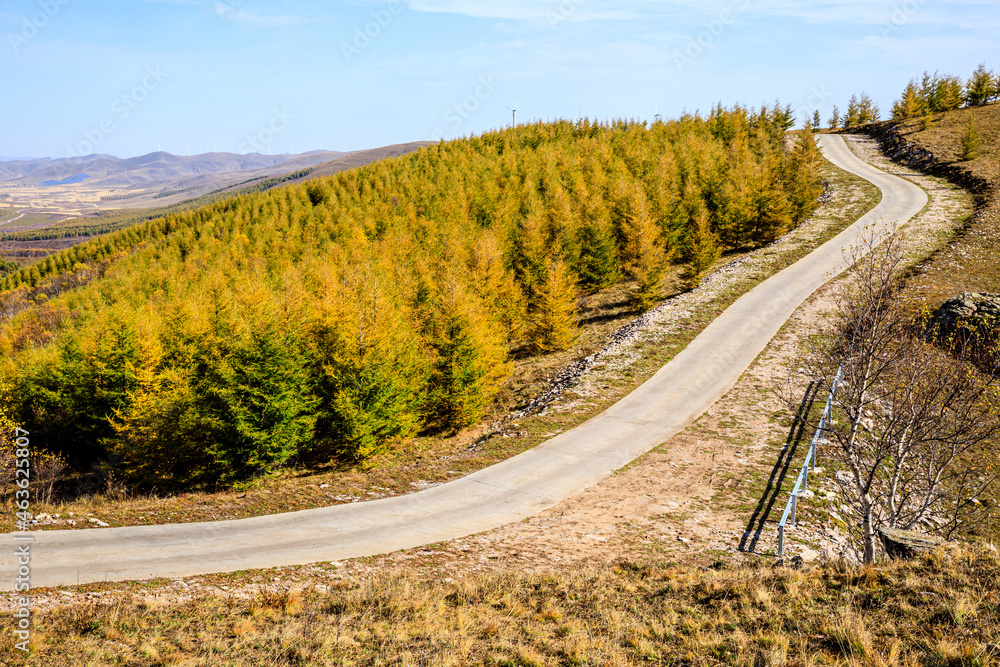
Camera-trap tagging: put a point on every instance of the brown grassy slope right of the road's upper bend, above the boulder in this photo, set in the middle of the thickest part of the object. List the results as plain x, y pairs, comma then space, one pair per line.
969, 263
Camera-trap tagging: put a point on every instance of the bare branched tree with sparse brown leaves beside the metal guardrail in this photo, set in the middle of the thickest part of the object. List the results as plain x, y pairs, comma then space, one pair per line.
915, 426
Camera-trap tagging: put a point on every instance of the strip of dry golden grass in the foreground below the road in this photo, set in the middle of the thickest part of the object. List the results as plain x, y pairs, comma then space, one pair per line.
942, 610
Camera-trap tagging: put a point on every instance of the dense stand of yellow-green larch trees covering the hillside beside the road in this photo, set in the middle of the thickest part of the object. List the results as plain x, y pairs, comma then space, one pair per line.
332, 317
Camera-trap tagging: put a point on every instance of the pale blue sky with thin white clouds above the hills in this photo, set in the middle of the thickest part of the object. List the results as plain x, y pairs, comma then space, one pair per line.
128, 76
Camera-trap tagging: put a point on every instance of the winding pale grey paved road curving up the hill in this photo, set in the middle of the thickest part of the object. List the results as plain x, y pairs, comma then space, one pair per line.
506, 492
